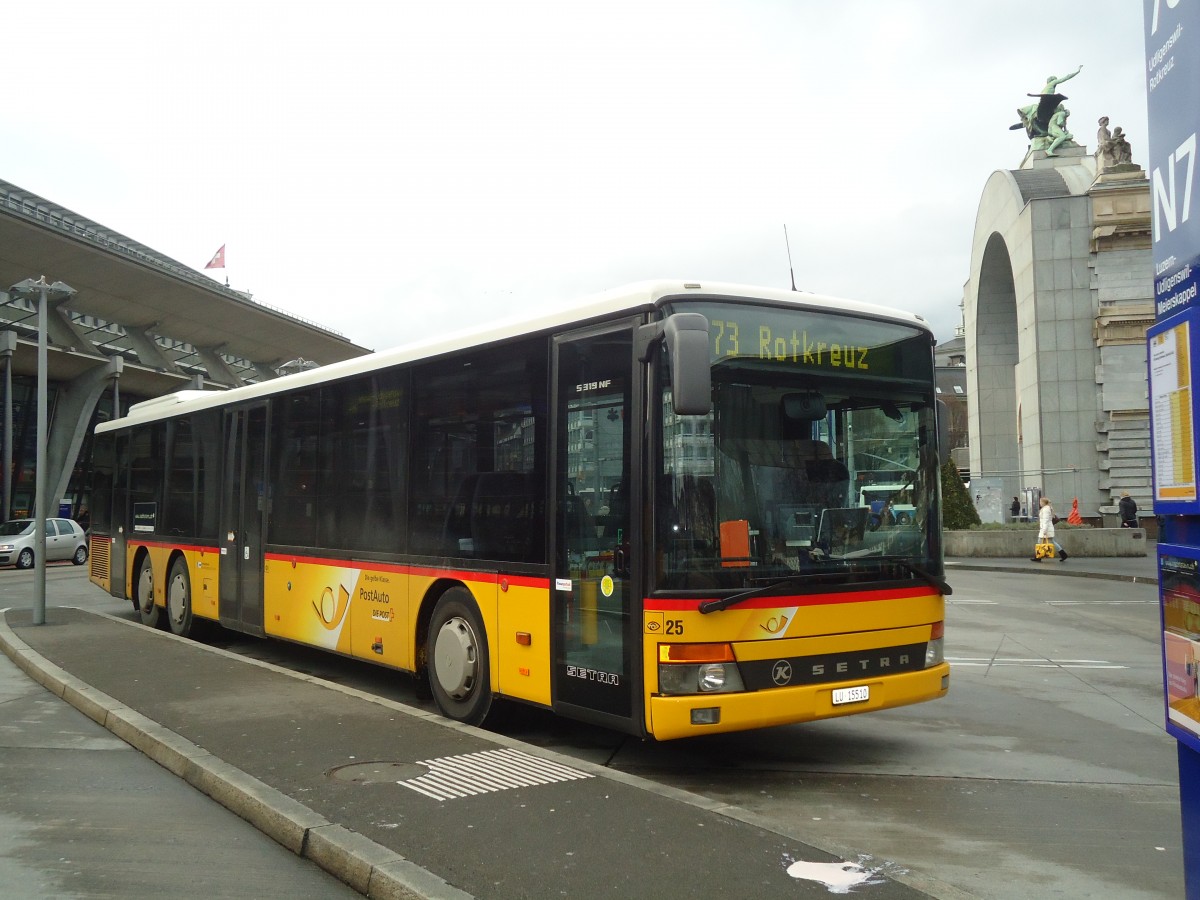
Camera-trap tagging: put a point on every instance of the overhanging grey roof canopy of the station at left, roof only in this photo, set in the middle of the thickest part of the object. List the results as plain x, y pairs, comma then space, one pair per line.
172, 326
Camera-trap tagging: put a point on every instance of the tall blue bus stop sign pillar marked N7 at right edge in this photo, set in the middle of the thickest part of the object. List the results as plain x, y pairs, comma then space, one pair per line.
1173, 104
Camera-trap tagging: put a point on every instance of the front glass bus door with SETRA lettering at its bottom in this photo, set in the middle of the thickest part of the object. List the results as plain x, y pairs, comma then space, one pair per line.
592, 602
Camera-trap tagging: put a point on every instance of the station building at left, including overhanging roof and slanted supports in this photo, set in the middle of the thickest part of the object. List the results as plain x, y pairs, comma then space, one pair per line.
124, 323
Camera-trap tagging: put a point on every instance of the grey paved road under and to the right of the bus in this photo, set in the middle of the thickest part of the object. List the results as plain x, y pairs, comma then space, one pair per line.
1045, 773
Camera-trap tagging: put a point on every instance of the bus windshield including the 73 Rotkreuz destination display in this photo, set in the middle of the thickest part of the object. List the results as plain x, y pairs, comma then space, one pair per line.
818, 458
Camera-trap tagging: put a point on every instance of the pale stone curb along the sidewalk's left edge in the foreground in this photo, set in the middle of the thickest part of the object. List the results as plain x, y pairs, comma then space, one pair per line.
367, 867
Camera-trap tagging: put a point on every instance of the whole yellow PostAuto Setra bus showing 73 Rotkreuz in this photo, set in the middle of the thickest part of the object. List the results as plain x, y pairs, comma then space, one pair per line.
640, 511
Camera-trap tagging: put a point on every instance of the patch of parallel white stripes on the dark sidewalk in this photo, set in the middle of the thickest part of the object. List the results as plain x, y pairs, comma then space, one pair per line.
453, 777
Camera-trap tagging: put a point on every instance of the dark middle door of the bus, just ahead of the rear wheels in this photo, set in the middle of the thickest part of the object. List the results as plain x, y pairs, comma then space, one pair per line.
243, 513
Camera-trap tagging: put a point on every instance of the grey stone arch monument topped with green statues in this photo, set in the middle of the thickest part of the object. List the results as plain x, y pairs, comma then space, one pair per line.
1055, 317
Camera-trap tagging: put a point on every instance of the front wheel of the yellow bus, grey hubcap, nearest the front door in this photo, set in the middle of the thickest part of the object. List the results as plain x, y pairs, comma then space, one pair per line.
459, 659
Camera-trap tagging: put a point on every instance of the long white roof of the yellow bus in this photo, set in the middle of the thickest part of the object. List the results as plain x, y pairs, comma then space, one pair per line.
640, 297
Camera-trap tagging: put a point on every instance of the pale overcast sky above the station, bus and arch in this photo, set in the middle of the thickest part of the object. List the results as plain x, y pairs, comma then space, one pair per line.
393, 170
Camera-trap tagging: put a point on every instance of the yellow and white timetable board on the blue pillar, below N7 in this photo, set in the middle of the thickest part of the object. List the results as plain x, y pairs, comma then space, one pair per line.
1172, 351
